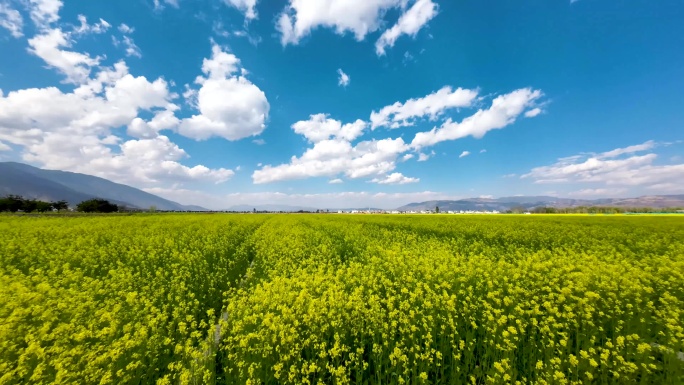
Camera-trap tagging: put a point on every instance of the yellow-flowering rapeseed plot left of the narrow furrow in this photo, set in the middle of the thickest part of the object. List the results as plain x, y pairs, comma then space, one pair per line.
115, 300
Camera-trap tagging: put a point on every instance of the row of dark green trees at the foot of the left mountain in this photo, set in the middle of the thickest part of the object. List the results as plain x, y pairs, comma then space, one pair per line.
15, 203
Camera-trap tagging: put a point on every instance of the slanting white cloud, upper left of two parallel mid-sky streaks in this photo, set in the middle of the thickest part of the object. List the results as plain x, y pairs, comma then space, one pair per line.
433, 105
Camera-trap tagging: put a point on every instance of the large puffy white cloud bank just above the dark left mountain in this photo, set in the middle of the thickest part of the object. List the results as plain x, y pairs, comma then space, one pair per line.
73, 131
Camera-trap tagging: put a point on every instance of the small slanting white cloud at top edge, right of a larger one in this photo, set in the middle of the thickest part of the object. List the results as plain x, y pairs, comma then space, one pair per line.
409, 23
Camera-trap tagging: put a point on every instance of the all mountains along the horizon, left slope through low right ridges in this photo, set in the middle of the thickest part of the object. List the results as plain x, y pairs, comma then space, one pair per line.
53, 185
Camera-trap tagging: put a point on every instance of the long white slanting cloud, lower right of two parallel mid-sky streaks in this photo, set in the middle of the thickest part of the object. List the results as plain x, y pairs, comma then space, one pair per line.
503, 112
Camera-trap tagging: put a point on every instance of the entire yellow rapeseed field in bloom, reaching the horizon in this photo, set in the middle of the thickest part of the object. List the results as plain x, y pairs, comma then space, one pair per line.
342, 299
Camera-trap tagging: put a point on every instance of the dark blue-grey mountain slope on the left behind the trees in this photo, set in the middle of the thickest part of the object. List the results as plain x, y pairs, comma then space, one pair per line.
53, 185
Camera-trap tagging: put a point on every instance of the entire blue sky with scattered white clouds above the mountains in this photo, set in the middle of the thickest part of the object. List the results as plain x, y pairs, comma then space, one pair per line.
348, 102
